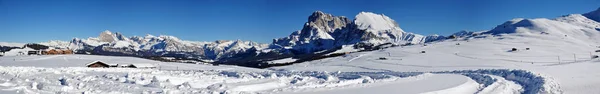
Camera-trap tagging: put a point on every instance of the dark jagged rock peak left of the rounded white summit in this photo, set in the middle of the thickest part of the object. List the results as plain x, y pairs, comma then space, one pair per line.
317, 34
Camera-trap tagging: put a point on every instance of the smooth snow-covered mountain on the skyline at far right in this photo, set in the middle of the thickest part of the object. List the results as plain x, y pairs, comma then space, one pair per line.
574, 26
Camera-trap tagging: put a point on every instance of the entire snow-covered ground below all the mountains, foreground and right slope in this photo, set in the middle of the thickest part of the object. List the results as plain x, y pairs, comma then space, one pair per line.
482, 66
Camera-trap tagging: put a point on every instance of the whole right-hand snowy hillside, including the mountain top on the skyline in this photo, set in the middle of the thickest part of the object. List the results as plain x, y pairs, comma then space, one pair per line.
560, 50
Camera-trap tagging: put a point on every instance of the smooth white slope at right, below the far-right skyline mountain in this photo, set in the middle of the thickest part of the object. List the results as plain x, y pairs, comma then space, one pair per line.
565, 65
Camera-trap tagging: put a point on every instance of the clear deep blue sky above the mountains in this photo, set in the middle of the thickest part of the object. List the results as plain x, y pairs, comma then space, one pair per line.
256, 20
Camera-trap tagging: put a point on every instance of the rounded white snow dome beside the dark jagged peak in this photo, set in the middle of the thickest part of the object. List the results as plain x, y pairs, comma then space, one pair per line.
372, 21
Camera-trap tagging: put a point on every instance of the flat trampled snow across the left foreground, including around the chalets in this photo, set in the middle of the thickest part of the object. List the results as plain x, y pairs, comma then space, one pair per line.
67, 74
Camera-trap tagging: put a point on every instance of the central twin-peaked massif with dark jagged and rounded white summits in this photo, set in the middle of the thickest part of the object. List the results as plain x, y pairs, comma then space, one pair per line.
324, 31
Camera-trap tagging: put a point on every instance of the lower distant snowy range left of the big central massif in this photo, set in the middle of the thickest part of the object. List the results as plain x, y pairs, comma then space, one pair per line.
109, 43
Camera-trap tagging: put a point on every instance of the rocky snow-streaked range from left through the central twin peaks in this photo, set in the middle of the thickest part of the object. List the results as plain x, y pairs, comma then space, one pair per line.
322, 34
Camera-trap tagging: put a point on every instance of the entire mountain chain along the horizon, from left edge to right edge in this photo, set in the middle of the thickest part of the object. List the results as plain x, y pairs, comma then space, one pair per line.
323, 35
